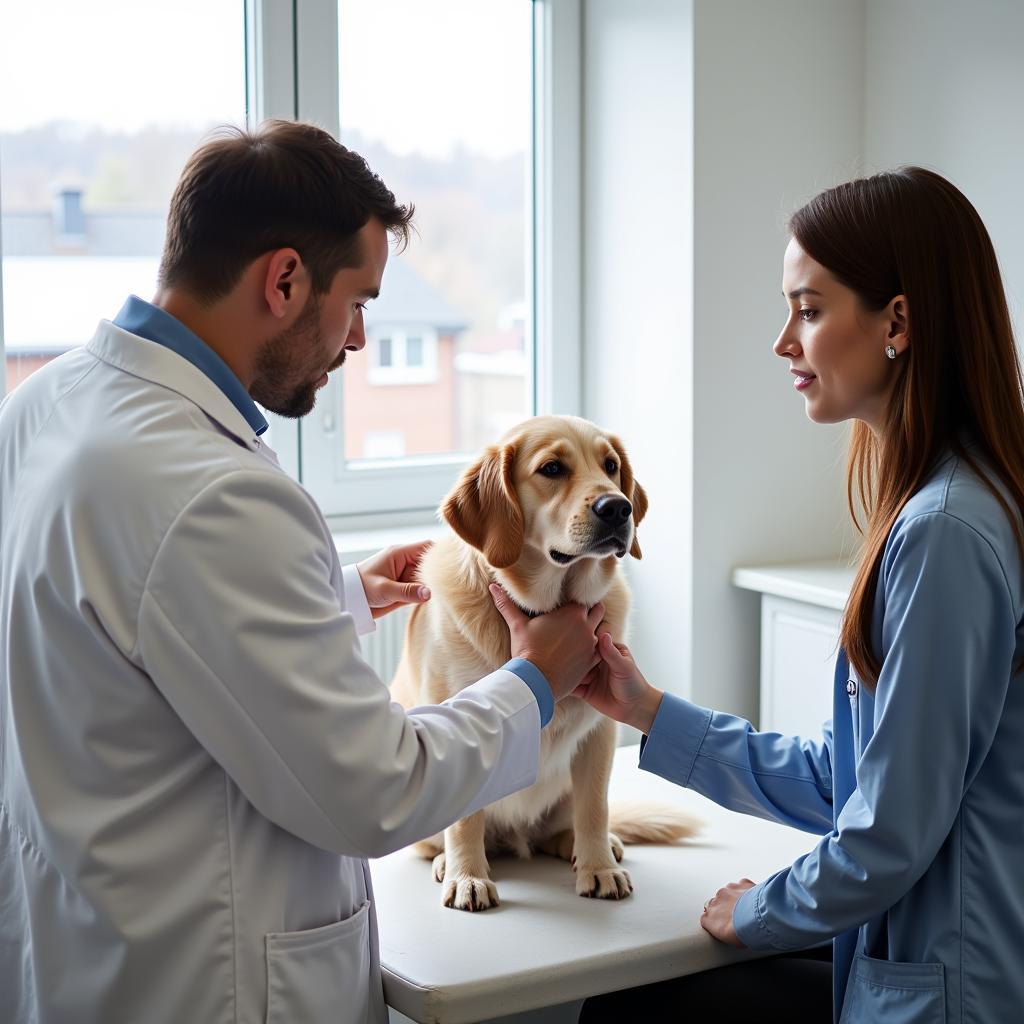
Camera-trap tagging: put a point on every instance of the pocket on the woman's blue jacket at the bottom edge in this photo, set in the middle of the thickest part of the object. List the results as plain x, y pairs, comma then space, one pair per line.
897, 994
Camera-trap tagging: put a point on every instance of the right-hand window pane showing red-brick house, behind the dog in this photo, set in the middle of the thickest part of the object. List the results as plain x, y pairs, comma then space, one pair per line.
439, 98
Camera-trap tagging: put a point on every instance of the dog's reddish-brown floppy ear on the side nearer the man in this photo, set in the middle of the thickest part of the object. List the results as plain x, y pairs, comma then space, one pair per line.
484, 508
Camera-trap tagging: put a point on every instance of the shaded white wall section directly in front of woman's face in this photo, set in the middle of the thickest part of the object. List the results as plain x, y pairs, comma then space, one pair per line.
778, 117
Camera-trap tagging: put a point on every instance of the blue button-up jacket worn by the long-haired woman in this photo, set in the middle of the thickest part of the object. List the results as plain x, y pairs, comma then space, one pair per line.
917, 791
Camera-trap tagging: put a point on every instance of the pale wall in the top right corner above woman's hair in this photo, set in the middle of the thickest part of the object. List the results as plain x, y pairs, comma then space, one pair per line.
946, 90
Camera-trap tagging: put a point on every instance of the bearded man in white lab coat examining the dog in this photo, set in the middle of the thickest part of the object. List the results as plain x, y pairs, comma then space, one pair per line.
196, 760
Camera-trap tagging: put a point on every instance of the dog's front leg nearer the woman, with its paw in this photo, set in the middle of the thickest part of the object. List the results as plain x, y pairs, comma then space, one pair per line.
593, 848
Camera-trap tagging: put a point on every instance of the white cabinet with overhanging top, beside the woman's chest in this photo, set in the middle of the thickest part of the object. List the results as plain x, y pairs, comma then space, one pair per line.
801, 611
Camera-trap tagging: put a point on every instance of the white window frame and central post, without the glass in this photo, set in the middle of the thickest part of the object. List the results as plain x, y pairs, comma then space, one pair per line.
292, 73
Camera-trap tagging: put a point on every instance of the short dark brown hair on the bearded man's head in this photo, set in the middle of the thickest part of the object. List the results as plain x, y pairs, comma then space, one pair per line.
286, 185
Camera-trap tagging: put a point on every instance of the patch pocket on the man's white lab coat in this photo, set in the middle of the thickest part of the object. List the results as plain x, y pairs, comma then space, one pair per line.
321, 976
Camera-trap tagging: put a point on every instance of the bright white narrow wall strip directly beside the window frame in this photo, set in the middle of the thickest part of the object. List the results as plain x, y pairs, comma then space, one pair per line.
637, 271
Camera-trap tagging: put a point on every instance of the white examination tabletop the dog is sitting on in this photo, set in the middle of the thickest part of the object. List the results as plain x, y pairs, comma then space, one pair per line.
545, 946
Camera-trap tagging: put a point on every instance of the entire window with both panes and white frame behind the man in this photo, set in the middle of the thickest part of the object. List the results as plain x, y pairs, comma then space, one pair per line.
467, 109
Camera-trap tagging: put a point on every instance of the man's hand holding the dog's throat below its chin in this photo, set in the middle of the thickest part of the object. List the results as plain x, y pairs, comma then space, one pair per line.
562, 644
